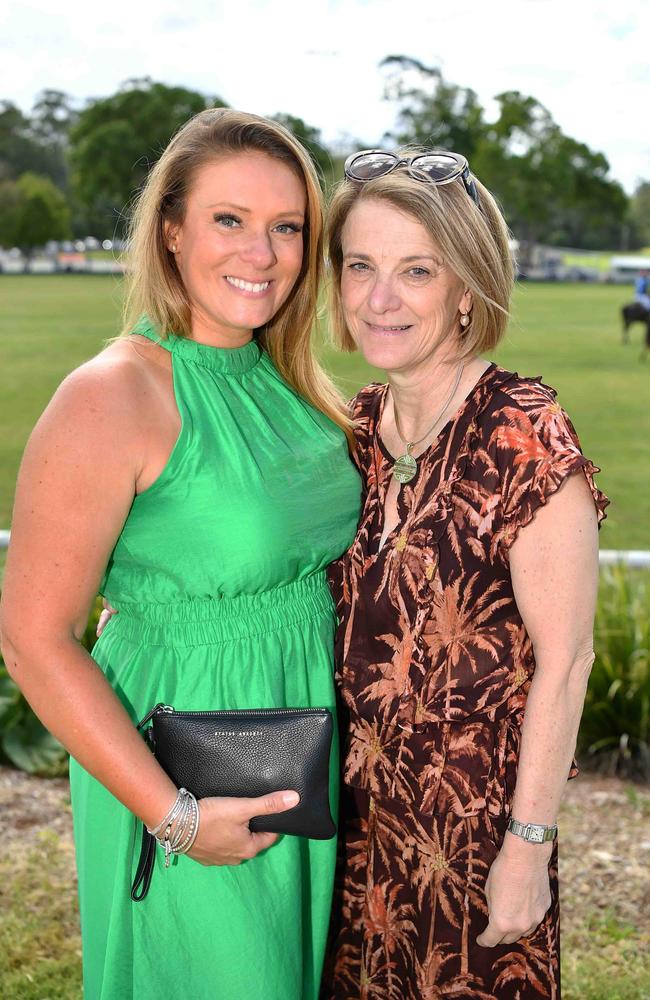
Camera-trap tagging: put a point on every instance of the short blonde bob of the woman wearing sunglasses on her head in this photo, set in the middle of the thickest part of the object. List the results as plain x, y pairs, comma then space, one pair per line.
473, 242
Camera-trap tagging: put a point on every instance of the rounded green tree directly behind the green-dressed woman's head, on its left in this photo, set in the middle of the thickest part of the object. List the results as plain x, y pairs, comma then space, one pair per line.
116, 140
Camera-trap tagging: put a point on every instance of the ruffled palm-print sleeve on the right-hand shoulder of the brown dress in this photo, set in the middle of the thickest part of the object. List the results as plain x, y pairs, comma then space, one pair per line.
535, 449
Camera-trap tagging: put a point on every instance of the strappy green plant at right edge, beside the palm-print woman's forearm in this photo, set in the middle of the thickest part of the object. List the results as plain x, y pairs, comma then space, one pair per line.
615, 729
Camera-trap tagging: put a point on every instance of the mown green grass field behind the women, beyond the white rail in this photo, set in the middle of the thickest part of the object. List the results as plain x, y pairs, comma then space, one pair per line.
570, 334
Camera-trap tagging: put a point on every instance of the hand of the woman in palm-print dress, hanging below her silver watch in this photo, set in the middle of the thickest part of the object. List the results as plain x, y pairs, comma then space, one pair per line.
517, 892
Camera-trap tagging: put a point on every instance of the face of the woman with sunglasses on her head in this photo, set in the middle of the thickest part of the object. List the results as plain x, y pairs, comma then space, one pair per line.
400, 301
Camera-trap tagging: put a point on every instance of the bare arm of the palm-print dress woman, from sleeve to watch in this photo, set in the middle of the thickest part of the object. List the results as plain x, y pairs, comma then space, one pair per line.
554, 565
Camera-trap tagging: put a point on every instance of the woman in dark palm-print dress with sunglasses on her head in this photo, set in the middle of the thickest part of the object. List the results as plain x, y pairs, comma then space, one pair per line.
465, 602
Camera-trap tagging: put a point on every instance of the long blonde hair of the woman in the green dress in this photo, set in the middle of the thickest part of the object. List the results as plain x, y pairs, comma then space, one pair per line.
155, 288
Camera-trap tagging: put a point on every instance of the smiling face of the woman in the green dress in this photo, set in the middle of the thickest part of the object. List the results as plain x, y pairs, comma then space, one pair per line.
239, 249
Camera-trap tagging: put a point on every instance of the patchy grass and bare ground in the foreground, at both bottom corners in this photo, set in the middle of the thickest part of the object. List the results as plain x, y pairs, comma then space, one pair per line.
603, 873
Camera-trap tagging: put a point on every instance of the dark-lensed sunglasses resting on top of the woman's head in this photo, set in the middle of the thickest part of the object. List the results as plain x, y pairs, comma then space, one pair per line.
440, 166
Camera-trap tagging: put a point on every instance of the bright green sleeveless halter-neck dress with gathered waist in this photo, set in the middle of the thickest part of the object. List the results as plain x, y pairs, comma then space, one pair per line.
219, 579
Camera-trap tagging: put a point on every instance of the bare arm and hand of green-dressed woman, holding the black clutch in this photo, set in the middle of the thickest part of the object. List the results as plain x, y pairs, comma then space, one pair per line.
76, 485
